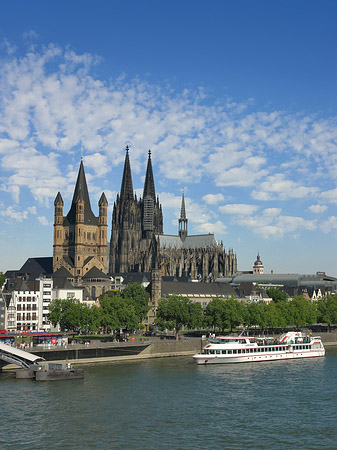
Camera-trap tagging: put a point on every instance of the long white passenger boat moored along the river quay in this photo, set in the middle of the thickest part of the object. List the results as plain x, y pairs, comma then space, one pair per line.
235, 349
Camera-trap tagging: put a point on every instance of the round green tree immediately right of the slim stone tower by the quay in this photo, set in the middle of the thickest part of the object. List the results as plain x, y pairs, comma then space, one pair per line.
175, 311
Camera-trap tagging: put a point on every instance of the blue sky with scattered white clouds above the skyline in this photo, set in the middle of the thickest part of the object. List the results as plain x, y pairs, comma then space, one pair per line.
236, 99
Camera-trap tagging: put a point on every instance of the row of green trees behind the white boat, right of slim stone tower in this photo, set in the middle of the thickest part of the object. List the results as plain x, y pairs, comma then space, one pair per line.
220, 314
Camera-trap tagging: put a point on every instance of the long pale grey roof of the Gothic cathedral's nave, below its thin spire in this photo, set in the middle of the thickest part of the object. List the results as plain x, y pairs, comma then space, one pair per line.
191, 242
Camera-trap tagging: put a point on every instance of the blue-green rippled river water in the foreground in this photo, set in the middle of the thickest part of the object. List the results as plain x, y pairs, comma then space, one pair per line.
172, 403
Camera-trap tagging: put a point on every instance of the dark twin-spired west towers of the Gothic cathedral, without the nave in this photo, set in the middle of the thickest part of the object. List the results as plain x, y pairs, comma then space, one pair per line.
134, 224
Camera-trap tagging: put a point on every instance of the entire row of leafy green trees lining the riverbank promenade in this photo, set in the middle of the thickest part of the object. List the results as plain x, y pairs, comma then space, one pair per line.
128, 309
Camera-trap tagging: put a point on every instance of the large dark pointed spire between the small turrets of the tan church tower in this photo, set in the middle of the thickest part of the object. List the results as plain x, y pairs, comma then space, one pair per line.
81, 194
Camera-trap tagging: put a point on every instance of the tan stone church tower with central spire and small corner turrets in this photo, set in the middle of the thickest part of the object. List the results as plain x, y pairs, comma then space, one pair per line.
80, 238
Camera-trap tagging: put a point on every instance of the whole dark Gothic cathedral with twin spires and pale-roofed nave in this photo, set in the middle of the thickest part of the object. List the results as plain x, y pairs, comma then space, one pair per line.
138, 243
